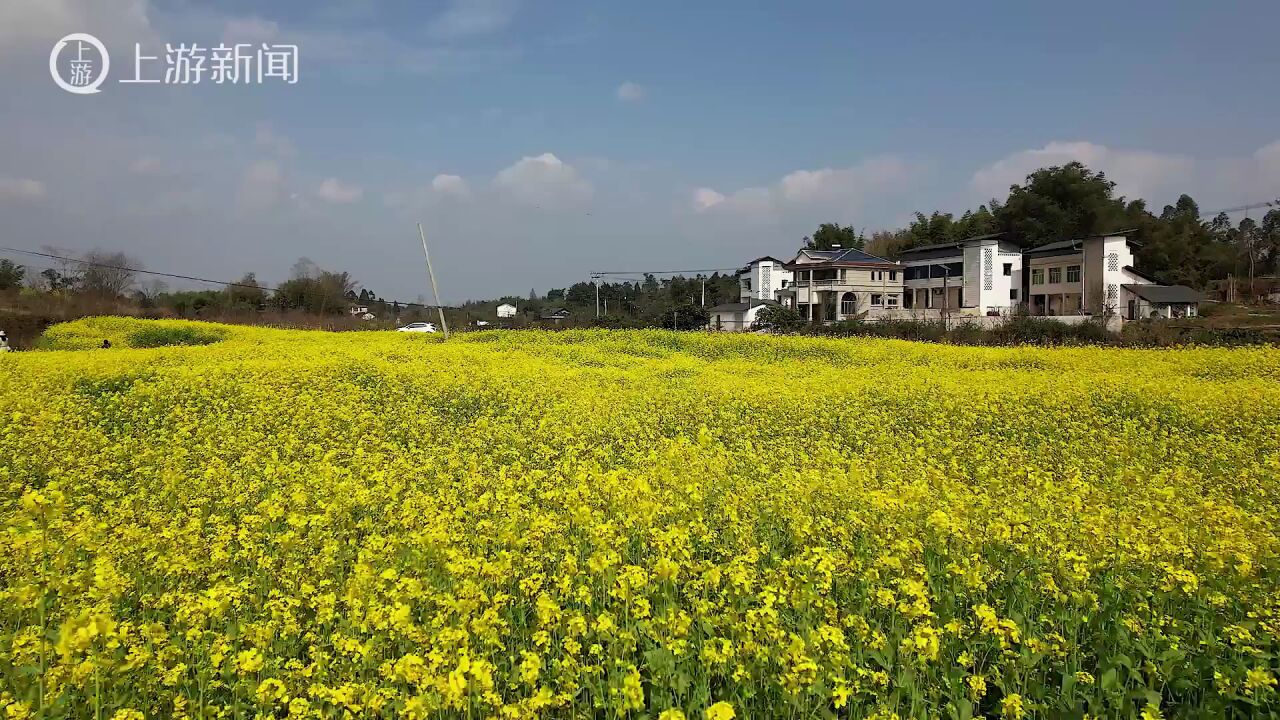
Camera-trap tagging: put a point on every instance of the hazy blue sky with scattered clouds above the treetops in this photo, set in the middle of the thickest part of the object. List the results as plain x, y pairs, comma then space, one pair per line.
540, 142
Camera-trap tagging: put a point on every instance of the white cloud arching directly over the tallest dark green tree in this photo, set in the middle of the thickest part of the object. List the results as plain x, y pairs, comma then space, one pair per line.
1137, 174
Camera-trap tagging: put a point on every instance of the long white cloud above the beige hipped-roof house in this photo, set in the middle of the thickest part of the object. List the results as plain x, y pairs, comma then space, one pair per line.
842, 190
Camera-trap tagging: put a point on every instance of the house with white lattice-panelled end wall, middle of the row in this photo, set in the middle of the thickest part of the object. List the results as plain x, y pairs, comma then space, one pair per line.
980, 276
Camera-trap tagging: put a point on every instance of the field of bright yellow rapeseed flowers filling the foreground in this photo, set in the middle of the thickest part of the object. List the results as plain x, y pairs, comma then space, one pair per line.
633, 525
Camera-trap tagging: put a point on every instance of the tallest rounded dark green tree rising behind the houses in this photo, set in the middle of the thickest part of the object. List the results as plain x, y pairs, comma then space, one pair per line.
1060, 203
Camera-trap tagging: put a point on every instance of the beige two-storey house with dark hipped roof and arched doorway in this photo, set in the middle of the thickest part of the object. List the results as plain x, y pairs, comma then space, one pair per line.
838, 285
